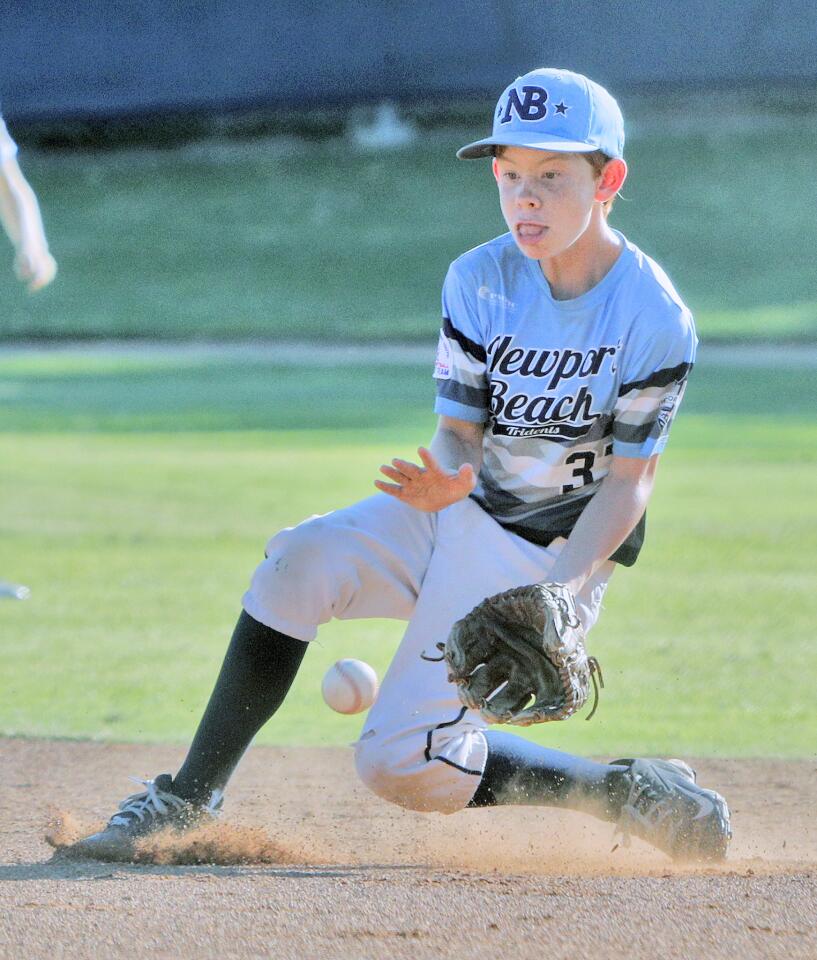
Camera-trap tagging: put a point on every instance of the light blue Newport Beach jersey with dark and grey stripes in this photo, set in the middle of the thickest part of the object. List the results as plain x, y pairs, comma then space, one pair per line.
561, 385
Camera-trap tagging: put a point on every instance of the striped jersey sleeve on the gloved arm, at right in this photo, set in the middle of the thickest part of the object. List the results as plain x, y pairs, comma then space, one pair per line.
653, 382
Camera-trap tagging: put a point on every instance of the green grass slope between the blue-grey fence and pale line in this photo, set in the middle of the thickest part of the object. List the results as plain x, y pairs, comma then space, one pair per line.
288, 239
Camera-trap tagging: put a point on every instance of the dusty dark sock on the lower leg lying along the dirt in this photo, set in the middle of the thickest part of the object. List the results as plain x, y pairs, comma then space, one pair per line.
520, 772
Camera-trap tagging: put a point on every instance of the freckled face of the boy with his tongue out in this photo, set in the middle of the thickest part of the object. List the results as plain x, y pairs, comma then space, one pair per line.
547, 199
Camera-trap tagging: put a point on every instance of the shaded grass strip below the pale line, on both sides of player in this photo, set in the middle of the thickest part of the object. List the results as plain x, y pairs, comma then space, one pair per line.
212, 395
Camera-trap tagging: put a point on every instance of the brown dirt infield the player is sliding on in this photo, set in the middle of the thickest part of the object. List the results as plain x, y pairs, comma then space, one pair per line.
352, 877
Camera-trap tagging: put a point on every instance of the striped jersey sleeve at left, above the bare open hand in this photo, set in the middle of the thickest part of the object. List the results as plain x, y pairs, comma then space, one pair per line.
460, 368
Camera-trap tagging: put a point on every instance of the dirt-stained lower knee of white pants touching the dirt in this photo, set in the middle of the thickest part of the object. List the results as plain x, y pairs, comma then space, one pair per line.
404, 772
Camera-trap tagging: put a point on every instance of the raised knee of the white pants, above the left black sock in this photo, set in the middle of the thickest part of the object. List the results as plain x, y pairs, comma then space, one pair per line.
308, 569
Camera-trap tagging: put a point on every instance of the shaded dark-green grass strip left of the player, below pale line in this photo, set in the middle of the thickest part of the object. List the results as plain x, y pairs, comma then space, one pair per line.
215, 396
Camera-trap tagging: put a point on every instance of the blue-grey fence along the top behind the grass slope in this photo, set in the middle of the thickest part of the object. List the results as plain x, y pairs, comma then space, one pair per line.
65, 58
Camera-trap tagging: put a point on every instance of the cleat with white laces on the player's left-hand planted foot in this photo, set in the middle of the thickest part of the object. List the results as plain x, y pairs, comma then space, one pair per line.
156, 808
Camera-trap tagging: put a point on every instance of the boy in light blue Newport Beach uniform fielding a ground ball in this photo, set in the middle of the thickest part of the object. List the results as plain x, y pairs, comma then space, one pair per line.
562, 360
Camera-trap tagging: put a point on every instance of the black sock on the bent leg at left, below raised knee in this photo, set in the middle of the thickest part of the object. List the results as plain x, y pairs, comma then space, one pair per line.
256, 675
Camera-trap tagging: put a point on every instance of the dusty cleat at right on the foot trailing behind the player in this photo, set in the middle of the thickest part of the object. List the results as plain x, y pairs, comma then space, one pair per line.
667, 808
